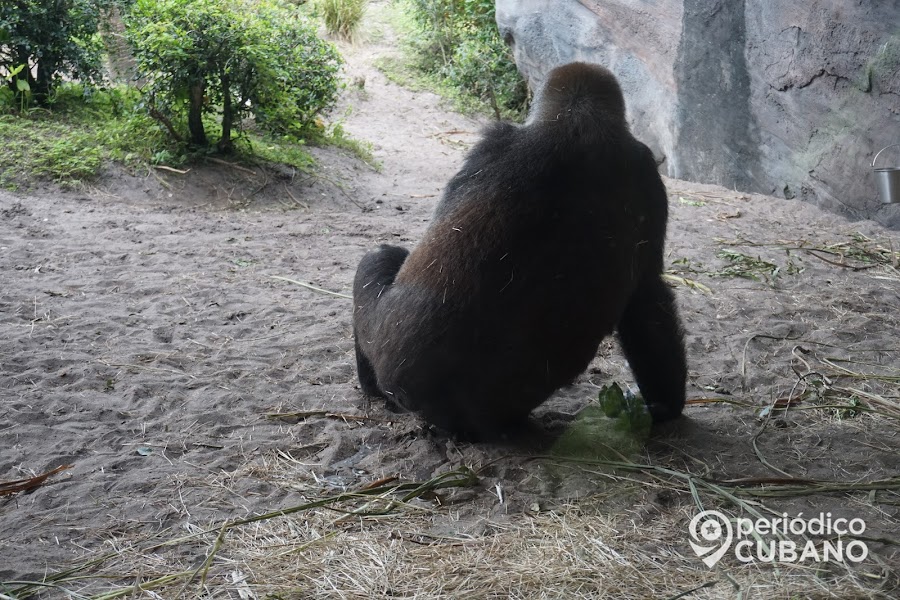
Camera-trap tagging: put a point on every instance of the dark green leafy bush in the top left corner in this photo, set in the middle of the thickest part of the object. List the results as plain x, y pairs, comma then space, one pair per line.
43, 41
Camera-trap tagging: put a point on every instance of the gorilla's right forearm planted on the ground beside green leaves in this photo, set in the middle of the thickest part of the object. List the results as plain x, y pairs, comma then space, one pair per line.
653, 342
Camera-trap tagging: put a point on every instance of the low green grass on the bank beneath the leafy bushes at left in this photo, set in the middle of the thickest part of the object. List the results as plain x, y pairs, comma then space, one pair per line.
84, 130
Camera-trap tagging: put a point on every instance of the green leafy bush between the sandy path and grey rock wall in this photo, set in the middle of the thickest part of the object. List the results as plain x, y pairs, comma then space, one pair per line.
458, 41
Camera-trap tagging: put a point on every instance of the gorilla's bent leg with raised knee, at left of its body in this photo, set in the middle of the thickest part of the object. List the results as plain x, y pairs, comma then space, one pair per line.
376, 272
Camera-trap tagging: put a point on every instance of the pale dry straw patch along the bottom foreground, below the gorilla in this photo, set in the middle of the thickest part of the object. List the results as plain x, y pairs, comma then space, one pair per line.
568, 553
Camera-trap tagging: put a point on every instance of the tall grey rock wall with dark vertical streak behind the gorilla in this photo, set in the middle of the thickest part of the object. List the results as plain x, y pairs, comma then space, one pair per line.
779, 97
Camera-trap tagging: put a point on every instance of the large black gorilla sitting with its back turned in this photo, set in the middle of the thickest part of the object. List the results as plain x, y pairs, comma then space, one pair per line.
549, 239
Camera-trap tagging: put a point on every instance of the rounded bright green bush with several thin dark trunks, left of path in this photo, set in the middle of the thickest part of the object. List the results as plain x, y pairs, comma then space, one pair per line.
231, 57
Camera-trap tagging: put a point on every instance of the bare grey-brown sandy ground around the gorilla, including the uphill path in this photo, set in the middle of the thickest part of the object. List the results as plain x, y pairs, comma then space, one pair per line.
145, 342
